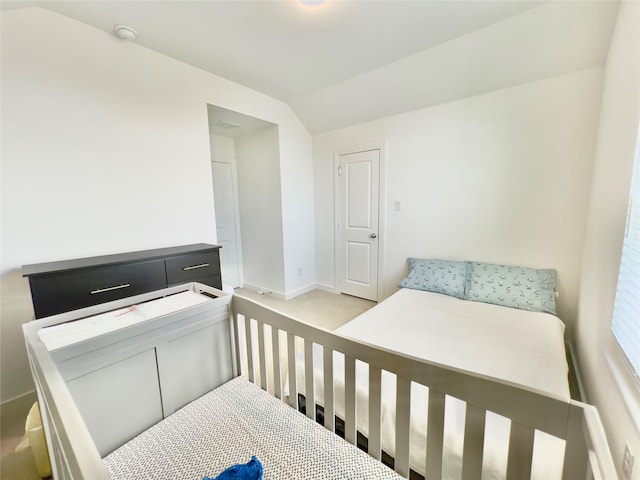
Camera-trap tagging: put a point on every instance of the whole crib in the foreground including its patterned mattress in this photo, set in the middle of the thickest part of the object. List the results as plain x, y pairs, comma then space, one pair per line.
165, 366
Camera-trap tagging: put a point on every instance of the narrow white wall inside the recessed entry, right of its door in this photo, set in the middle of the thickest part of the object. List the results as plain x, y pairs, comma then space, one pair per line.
261, 210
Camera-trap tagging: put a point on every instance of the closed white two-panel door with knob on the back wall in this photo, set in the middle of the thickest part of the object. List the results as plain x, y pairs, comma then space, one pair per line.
359, 204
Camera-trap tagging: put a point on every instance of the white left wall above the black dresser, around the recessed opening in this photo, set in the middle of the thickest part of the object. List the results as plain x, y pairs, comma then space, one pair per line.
105, 148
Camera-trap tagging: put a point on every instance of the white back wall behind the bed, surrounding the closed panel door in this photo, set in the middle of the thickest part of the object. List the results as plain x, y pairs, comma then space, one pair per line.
502, 177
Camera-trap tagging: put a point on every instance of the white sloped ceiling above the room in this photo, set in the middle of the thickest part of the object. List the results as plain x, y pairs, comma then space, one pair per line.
346, 62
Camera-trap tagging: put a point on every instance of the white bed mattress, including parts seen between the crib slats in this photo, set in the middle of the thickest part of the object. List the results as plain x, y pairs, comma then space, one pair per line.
515, 345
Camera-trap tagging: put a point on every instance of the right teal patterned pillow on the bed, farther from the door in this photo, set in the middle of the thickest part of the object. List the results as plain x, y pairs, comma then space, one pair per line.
517, 287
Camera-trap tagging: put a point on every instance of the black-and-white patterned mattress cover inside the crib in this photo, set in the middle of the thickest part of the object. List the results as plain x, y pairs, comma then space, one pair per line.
230, 424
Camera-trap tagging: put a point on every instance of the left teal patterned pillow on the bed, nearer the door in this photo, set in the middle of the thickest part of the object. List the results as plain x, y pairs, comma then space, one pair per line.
440, 276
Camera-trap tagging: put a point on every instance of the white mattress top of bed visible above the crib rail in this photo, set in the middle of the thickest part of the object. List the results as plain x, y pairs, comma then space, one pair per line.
515, 345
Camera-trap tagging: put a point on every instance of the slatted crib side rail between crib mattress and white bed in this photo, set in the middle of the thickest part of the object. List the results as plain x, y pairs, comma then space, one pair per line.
269, 345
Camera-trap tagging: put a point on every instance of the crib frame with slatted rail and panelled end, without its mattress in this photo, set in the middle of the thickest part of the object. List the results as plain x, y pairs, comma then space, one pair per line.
190, 350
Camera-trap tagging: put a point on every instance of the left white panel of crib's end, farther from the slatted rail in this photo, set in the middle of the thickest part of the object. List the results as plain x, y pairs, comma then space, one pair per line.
119, 401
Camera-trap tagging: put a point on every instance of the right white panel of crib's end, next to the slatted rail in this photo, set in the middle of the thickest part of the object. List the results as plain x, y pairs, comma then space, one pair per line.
194, 364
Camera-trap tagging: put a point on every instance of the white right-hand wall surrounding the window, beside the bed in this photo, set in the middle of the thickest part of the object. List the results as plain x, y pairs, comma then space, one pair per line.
608, 381
